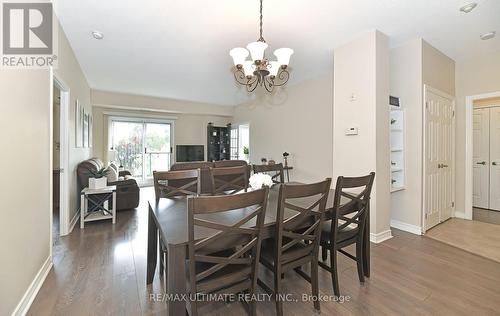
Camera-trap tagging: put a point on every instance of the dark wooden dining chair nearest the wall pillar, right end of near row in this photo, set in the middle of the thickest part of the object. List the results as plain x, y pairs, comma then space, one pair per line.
350, 211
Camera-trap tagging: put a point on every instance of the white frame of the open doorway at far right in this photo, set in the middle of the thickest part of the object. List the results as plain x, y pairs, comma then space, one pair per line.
469, 107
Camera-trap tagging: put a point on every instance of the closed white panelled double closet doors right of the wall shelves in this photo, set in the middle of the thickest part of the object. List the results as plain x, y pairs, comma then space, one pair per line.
439, 157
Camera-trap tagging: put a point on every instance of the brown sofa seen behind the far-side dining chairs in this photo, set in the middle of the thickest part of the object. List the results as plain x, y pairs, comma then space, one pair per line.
204, 166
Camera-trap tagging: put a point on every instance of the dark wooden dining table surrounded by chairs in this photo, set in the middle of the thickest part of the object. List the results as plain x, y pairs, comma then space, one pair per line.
168, 220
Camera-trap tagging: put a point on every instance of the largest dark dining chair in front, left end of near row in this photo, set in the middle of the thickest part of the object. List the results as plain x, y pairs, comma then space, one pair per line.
225, 259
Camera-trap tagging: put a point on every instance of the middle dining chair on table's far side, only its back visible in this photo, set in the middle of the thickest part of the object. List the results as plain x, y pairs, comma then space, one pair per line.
229, 180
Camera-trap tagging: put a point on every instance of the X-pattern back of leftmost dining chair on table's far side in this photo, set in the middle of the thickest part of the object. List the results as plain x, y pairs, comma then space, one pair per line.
166, 188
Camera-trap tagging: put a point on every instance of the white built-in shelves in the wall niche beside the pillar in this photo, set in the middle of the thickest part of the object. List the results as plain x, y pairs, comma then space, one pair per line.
397, 149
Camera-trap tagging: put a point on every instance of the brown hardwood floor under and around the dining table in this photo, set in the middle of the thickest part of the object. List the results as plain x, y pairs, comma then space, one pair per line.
101, 270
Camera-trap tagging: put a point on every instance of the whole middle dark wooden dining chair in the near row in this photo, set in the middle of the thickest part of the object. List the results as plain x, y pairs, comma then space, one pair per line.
296, 242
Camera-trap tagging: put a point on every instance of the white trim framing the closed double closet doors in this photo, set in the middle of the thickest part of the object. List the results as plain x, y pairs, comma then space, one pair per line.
426, 90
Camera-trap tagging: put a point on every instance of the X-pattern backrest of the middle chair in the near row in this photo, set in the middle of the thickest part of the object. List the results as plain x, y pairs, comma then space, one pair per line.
298, 235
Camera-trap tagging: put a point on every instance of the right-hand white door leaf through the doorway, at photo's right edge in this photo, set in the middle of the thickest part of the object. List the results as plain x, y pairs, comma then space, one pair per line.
494, 176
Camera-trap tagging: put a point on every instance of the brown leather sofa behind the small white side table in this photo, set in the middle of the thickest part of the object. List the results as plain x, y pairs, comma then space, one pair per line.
127, 190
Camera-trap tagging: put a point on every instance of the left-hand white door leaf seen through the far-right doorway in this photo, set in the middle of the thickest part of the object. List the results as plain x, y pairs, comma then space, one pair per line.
480, 157
